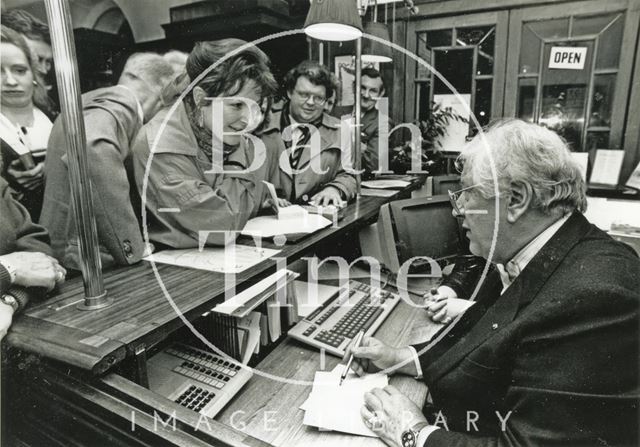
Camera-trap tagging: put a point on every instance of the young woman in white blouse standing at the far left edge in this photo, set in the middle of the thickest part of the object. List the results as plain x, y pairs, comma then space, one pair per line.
24, 127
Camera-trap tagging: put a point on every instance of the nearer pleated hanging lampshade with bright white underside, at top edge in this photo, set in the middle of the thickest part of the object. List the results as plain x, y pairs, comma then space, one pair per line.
334, 20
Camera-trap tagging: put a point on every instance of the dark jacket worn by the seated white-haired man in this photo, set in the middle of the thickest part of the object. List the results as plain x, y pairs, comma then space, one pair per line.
558, 349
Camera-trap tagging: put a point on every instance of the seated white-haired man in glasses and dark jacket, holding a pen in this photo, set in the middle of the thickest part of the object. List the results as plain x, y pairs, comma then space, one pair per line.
548, 353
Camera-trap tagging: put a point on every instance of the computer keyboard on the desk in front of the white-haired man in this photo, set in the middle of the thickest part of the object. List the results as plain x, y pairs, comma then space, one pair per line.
352, 309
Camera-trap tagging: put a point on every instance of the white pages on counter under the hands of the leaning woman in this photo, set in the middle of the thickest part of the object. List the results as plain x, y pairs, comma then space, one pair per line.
269, 226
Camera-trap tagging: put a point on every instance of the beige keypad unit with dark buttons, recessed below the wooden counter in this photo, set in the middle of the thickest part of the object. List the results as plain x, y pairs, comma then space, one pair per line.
196, 379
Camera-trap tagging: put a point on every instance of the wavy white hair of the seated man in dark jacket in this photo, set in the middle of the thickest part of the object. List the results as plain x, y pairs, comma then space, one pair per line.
529, 154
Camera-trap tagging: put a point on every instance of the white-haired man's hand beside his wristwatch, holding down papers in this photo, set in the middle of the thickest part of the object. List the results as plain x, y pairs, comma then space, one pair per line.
388, 413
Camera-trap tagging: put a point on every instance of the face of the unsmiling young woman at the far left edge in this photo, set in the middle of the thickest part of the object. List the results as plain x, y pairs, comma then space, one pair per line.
17, 77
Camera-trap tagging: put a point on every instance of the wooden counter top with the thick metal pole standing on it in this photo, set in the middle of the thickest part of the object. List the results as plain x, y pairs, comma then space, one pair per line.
141, 314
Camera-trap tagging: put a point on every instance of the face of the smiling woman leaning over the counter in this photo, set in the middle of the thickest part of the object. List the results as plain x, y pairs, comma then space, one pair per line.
241, 113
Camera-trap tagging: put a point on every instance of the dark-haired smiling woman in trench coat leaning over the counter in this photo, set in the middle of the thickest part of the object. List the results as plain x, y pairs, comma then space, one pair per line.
198, 168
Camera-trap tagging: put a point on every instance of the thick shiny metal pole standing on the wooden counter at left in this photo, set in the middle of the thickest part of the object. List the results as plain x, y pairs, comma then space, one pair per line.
64, 53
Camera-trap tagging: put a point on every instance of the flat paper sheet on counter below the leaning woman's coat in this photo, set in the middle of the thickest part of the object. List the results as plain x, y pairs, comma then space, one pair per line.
214, 259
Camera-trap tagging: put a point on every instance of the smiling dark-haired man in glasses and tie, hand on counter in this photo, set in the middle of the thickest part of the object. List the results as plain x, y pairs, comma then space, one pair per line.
308, 140
